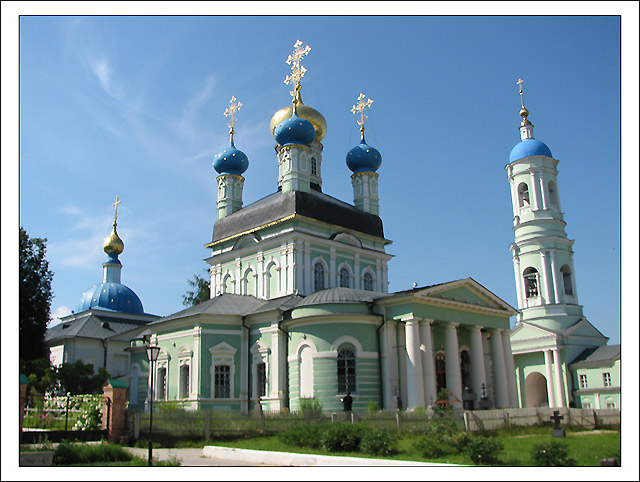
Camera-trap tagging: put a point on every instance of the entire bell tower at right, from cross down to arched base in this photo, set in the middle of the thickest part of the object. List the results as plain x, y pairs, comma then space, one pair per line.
551, 331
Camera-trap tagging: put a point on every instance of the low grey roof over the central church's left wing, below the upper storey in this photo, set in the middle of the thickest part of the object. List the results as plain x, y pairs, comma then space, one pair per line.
239, 305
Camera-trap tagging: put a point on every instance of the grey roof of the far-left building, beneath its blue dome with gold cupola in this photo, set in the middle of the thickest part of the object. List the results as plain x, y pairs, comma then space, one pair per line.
92, 326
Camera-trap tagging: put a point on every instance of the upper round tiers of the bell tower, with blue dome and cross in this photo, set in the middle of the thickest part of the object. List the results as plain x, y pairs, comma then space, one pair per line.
542, 253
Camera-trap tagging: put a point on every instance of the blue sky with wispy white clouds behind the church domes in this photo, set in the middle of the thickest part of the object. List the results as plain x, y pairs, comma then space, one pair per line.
133, 106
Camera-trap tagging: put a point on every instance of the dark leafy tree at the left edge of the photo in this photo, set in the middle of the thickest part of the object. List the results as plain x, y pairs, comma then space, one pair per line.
35, 297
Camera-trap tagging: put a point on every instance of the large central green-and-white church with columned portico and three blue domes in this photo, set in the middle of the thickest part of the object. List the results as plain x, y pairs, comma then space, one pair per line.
299, 303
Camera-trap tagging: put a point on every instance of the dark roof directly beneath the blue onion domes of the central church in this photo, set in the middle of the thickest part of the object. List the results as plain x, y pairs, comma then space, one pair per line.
315, 205
